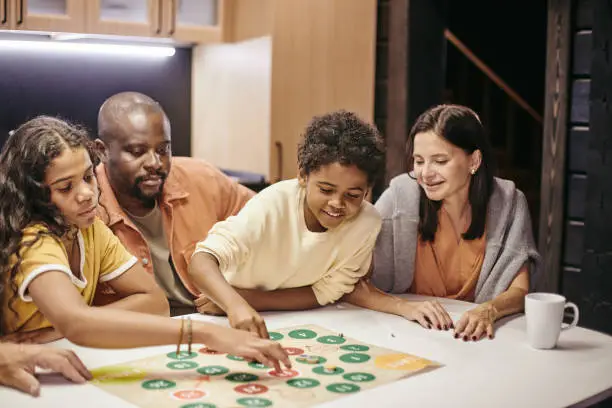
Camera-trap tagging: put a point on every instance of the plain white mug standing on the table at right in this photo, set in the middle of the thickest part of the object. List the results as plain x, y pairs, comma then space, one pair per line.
544, 313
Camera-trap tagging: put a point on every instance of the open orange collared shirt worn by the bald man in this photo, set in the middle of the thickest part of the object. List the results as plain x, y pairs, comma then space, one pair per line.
195, 196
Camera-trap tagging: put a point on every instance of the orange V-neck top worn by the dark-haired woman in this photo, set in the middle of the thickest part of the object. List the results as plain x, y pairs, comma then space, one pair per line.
449, 266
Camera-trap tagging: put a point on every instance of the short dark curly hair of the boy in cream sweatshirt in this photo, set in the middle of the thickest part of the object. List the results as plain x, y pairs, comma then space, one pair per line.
342, 137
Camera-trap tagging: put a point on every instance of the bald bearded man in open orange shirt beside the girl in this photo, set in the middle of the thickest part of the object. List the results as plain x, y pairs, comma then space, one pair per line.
158, 206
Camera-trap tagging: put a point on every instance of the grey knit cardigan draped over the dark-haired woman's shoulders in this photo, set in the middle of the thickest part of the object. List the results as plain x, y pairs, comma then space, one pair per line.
509, 239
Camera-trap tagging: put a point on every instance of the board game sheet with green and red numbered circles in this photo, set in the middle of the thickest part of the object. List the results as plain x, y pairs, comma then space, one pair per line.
326, 365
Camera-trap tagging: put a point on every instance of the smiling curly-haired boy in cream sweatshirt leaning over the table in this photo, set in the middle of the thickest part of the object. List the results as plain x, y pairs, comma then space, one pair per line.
300, 243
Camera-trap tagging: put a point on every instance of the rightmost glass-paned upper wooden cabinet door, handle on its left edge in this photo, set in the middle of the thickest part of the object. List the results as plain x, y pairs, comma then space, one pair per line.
197, 21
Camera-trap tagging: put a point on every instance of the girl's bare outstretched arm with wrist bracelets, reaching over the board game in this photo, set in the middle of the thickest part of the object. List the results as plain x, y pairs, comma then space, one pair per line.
108, 328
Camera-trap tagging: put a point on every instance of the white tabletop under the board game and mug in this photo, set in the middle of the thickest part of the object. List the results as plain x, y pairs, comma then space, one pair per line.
504, 372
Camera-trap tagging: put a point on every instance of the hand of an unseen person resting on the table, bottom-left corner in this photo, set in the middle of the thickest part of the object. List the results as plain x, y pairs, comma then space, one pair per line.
18, 362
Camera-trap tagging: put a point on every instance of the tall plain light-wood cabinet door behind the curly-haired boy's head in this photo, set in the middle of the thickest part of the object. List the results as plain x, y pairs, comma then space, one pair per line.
323, 59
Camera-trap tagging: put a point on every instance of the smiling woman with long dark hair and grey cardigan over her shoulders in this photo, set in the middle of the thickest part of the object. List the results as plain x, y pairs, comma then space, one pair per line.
451, 229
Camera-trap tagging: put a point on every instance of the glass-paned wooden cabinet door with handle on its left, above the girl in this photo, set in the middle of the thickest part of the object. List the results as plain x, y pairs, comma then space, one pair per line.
48, 15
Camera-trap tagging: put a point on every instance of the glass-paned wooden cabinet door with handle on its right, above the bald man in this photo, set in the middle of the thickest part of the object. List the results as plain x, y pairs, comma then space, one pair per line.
141, 18
